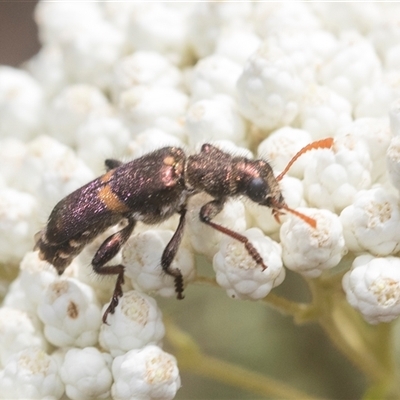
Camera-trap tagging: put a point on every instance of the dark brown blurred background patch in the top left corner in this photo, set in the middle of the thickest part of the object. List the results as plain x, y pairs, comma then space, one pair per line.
18, 33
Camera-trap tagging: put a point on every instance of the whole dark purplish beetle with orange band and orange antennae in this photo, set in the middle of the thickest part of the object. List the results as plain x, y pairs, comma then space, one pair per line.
151, 189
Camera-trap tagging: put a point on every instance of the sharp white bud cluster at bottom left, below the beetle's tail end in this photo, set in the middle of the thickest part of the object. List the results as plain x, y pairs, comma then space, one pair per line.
42, 310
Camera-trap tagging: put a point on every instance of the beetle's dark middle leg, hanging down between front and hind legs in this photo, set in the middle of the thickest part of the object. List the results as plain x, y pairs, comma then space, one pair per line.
169, 255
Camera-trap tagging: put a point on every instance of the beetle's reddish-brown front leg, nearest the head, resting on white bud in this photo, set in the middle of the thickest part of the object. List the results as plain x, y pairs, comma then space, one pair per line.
212, 209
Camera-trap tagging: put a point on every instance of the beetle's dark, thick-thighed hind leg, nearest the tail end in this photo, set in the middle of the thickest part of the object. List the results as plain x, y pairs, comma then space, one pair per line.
108, 250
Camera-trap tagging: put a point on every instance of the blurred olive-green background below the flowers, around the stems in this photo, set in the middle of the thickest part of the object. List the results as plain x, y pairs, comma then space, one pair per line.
260, 339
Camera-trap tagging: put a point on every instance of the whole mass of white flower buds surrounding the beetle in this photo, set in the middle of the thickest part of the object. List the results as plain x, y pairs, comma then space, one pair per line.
117, 80
